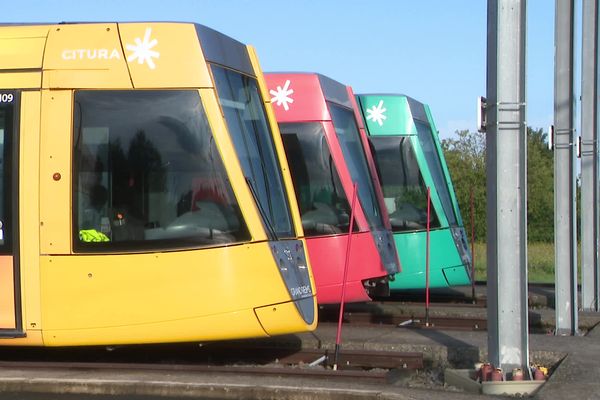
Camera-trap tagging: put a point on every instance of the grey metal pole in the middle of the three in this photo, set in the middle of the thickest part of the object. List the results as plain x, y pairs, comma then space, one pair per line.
565, 225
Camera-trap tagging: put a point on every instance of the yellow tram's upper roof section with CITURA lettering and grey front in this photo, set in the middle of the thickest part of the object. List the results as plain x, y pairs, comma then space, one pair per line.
133, 54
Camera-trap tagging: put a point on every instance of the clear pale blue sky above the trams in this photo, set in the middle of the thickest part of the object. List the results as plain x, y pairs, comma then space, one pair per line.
431, 50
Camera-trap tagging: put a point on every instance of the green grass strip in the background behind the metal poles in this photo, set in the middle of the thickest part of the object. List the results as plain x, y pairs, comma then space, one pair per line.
540, 260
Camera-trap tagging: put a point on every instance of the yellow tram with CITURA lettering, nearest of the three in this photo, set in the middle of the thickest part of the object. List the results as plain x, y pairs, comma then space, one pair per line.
145, 197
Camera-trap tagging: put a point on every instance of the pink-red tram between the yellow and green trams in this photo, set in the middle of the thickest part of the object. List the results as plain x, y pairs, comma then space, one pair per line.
328, 153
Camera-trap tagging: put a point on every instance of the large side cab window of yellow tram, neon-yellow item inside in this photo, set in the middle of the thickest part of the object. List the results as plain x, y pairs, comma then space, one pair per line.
147, 174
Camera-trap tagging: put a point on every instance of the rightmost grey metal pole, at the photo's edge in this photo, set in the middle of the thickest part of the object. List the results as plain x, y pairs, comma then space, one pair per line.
589, 157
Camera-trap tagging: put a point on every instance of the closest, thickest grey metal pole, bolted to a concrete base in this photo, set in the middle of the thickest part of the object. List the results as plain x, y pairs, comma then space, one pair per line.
506, 149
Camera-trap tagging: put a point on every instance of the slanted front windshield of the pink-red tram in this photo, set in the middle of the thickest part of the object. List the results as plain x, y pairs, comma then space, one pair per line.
354, 154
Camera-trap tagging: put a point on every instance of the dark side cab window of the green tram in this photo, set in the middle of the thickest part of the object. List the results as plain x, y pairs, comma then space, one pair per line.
404, 190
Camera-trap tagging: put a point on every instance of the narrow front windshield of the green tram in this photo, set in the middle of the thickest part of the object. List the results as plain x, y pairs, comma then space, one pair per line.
425, 136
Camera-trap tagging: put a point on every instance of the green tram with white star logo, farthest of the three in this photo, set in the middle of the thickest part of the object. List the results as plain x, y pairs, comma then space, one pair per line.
409, 159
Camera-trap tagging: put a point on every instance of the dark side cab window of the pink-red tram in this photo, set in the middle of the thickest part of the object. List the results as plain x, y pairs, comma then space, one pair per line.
323, 204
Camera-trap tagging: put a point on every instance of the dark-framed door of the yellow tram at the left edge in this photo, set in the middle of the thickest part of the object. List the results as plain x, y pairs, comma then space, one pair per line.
8, 212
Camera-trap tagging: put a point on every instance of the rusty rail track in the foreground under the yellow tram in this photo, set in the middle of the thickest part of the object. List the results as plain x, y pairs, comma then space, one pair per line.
372, 366
